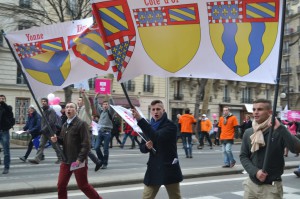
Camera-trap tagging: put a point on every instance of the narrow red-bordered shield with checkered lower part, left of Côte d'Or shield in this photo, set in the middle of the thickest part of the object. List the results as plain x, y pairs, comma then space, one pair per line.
116, 27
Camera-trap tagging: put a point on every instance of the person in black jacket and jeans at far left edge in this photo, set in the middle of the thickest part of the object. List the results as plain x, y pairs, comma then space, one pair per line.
6, 122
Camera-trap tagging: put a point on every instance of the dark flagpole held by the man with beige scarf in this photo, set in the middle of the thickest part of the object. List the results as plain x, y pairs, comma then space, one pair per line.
269, 142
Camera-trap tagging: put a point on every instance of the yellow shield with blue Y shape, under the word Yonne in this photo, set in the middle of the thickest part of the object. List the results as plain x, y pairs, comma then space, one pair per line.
47, 61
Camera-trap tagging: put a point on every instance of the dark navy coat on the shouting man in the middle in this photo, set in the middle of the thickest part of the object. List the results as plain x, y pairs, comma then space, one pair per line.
162, 167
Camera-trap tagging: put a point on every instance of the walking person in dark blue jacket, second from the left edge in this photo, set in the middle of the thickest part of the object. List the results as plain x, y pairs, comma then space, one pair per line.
33, 127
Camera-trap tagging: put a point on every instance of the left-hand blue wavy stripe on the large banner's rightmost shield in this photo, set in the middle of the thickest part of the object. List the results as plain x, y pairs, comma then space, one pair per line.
230, 50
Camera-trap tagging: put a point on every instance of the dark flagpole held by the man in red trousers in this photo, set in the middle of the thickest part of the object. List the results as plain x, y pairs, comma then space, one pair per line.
56, 145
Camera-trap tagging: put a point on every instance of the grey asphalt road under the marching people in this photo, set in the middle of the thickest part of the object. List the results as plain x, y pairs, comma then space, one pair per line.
124, 164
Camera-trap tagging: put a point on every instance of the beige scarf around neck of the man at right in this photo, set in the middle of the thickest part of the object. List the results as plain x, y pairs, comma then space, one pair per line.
257, 138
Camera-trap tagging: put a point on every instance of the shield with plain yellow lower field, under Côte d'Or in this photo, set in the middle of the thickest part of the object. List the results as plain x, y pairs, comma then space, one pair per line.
170, 35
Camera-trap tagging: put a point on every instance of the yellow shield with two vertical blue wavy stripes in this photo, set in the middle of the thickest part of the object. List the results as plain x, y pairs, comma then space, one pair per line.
243, 33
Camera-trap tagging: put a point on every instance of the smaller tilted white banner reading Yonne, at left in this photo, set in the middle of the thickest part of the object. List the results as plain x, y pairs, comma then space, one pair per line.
55, 56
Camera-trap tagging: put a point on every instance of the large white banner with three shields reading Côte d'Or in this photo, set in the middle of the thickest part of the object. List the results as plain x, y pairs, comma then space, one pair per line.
233, 40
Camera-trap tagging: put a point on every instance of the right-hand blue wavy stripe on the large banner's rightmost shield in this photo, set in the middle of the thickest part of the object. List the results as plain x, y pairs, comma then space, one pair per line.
257, 47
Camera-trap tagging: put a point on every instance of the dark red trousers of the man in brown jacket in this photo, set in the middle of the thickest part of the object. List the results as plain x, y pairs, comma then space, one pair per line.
81, 179
